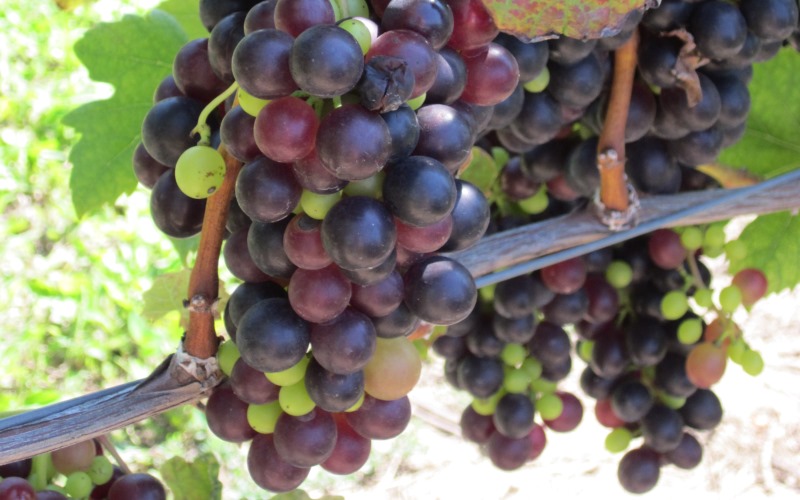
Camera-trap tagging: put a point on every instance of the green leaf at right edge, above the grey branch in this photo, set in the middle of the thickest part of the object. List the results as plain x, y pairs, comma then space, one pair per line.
770, 145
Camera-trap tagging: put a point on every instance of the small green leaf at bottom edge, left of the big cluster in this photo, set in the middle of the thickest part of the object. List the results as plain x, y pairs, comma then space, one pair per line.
193, 480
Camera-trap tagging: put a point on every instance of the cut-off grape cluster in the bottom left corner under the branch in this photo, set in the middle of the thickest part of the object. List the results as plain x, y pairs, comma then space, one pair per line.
88, 472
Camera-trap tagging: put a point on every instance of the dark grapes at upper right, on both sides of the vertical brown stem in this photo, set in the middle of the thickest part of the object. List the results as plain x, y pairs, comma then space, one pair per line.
689, 100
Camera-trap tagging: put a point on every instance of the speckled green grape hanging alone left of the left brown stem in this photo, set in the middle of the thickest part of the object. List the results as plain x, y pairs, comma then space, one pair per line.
200, 171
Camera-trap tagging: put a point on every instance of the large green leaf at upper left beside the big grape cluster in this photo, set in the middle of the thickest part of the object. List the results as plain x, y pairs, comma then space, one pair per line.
134, 55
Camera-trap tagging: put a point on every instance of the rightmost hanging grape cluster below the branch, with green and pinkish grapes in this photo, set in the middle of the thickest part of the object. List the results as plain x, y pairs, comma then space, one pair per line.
652, 363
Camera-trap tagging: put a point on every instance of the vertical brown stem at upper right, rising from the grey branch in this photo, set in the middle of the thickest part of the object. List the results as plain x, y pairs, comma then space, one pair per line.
616, 195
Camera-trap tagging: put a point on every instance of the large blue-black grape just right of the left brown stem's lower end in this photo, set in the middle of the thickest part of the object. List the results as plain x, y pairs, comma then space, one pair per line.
271, 336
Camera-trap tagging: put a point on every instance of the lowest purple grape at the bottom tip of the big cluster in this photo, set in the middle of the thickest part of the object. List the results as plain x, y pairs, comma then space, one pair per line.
268, 470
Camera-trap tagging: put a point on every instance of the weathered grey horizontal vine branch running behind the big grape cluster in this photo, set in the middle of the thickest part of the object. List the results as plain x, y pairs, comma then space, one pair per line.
68, 422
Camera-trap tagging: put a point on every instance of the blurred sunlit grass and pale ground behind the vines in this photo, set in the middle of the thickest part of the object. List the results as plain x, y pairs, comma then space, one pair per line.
71, 308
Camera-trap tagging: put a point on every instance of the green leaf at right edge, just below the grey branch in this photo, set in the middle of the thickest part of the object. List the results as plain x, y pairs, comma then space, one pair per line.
773, 246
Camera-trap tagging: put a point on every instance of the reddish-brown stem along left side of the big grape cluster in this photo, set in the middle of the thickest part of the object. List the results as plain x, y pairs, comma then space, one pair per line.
201, 338
